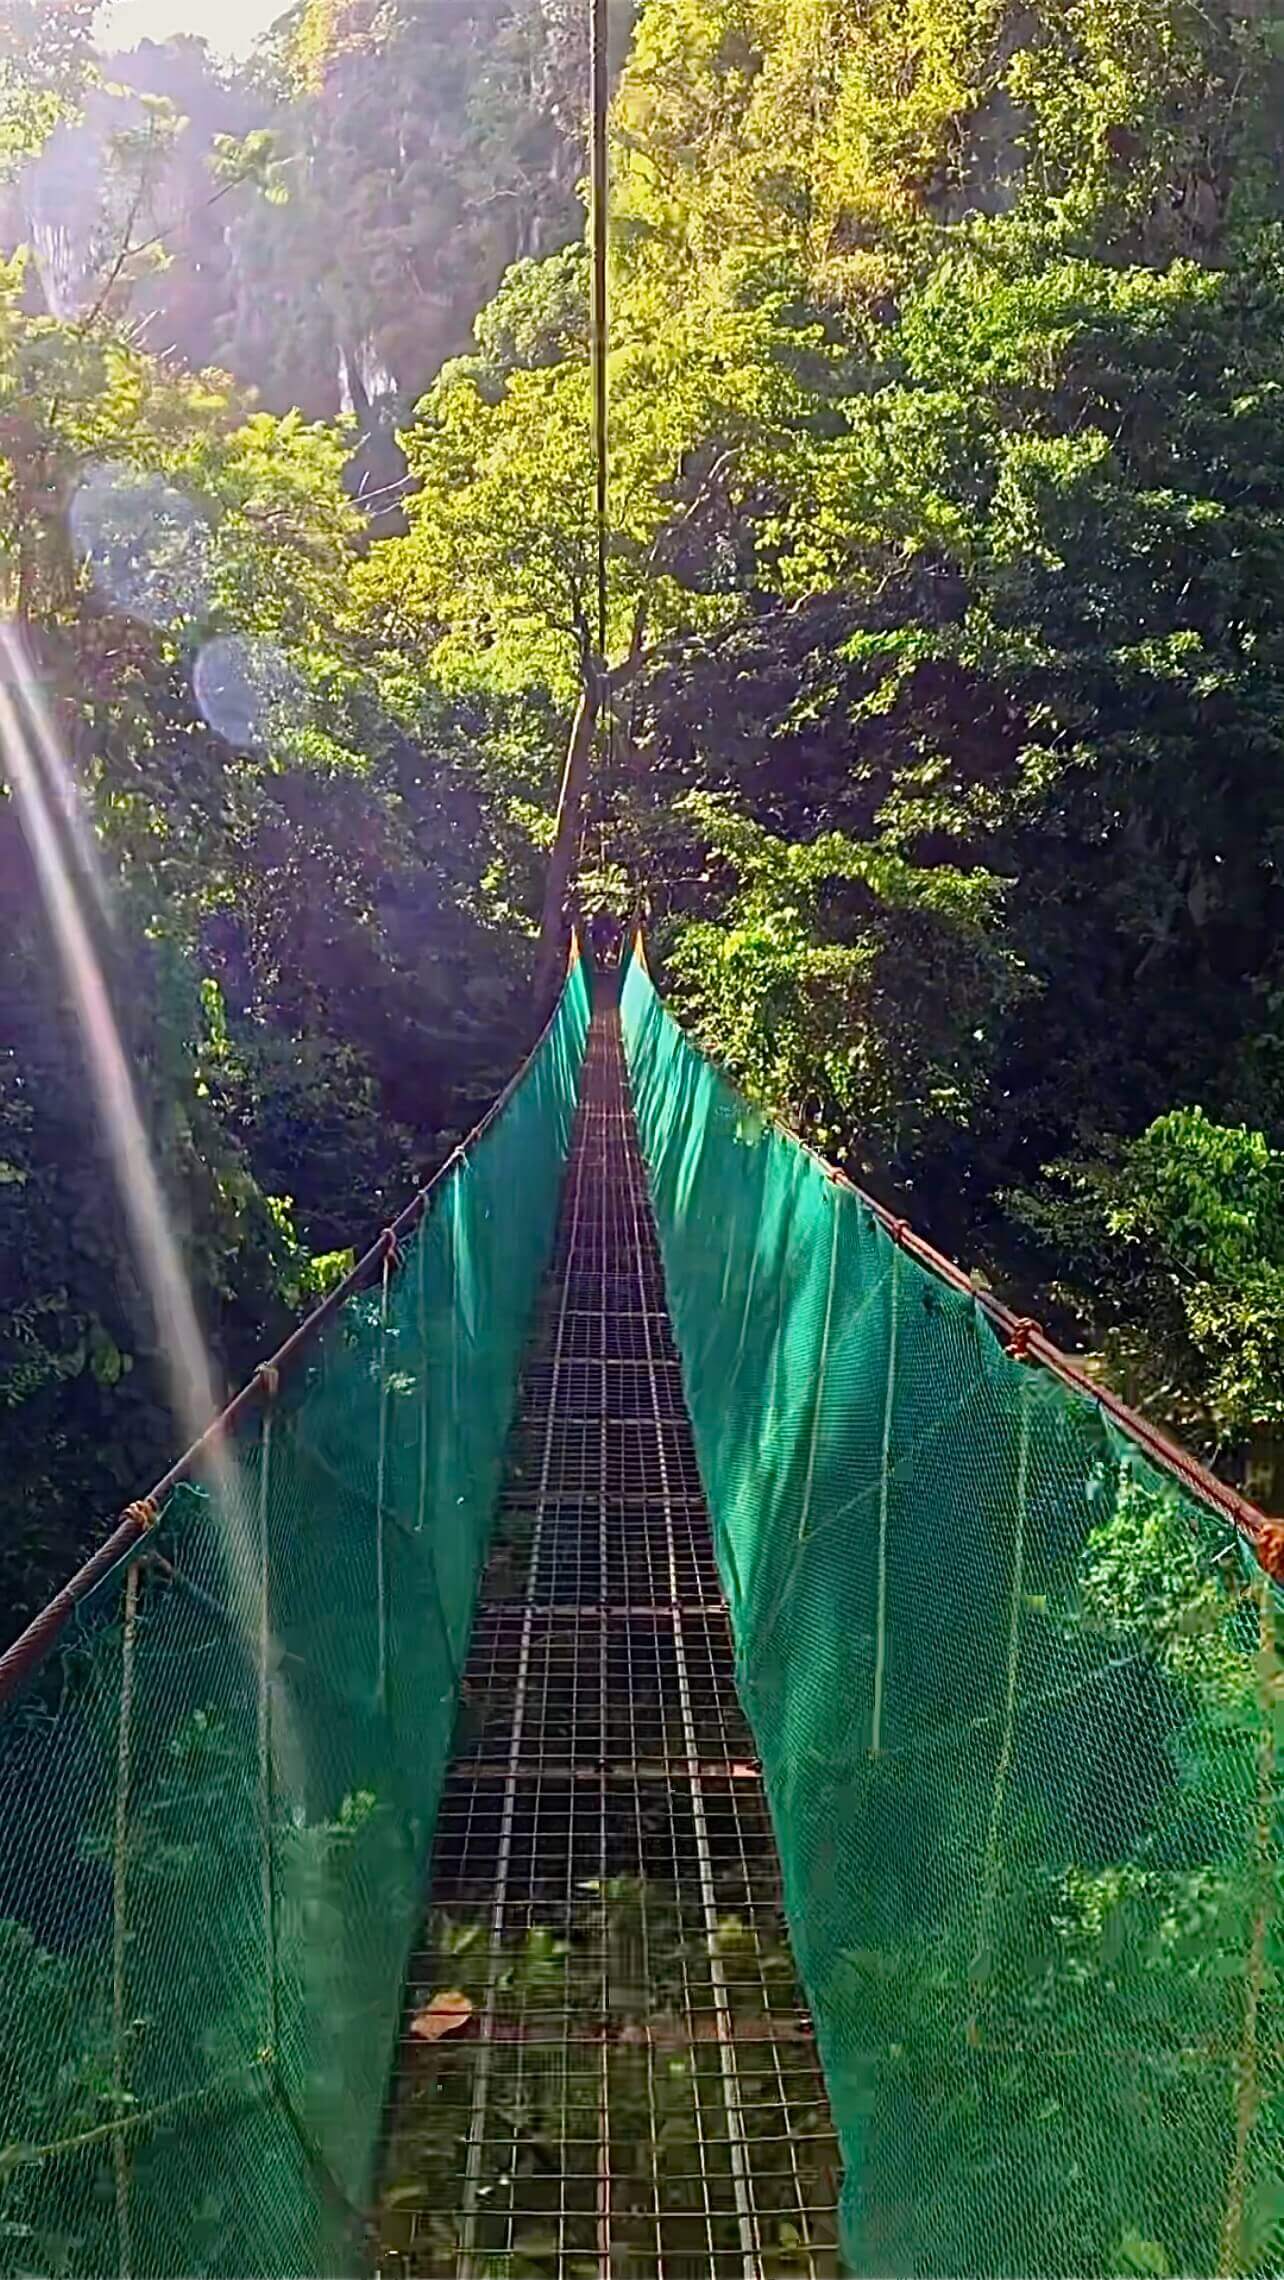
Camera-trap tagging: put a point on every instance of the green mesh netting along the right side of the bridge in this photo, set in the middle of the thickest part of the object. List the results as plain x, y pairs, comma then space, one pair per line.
1018, 1704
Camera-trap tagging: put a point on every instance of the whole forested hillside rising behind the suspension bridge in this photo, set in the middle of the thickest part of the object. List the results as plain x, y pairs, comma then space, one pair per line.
945, 724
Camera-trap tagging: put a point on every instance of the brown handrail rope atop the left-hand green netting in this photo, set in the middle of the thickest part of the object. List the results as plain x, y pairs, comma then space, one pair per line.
138, 1520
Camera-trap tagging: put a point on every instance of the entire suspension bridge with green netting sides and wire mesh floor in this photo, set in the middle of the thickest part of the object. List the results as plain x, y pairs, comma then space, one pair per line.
665, 1734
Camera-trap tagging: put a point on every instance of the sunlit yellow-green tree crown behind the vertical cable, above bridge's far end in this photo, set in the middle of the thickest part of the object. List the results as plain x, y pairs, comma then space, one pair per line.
498, 564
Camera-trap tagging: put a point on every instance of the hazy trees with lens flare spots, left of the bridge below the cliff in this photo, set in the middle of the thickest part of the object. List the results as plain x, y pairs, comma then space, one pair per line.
263, 815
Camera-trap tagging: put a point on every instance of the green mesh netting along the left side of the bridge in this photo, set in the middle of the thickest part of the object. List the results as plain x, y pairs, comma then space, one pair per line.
218, 1800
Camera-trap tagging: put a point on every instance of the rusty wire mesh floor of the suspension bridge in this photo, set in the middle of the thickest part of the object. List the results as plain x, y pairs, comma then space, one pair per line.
628, 2085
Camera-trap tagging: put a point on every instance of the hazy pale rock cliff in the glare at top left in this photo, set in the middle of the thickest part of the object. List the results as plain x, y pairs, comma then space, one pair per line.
403, 172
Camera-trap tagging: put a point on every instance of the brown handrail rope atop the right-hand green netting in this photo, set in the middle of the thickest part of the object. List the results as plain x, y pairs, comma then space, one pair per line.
1025, 1342
